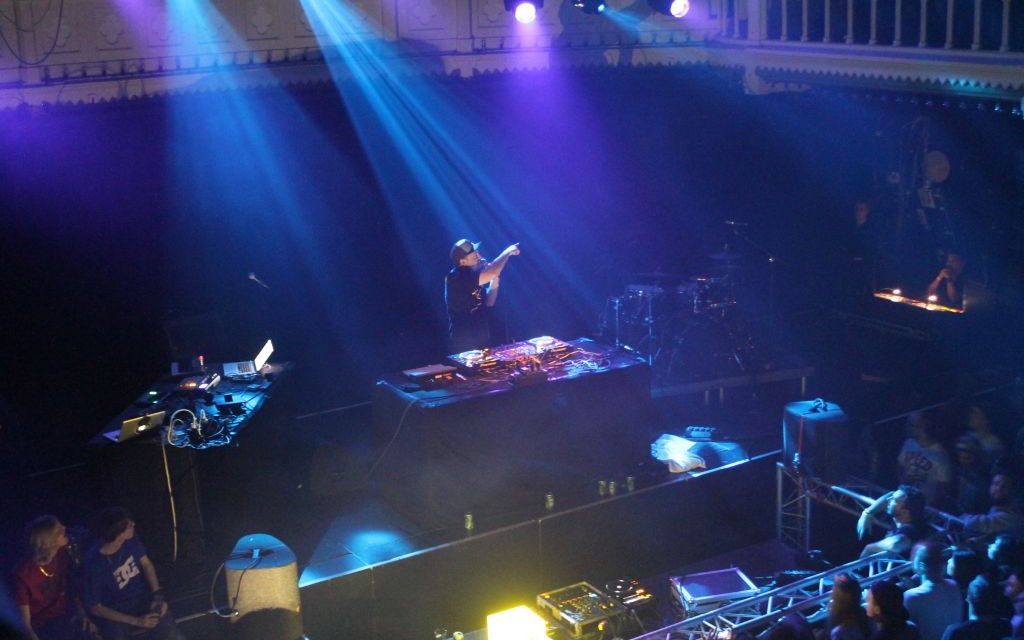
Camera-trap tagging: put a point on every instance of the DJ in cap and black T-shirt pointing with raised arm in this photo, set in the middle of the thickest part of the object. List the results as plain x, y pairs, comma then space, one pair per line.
471, 291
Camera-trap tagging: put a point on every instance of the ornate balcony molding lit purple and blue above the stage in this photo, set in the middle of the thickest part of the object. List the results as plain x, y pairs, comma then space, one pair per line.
97, 51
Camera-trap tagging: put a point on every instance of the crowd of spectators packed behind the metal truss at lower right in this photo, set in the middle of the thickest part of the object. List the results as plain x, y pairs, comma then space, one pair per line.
968, 581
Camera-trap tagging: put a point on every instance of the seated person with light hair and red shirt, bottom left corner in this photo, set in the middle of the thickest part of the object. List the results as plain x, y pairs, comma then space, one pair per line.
44, 586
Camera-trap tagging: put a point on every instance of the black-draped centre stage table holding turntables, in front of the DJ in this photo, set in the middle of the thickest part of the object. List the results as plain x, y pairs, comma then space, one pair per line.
497, 444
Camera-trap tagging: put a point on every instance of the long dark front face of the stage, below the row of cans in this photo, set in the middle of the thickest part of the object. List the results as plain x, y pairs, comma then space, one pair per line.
641, 534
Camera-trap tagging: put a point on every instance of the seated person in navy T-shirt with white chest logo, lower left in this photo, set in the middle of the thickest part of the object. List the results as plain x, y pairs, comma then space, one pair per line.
122, 590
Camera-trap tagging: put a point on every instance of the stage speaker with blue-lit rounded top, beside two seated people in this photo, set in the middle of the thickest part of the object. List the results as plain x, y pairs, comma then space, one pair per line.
264, 590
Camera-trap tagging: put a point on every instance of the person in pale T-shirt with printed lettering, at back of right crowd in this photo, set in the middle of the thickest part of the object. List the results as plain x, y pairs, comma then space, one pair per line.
925, 463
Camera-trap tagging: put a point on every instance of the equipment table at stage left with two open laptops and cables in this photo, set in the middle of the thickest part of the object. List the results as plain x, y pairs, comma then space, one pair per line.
173, 489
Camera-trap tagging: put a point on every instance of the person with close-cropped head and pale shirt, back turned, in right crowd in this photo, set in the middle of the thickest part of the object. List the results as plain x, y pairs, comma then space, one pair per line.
937, 603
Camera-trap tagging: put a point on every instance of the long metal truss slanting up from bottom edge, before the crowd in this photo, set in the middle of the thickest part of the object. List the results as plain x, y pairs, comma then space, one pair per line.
805, 596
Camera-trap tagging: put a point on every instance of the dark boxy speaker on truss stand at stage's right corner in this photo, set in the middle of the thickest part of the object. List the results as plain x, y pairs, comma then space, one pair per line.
818, 441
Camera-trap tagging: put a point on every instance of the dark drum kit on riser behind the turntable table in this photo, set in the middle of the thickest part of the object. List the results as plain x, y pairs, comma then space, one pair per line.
684, 325
